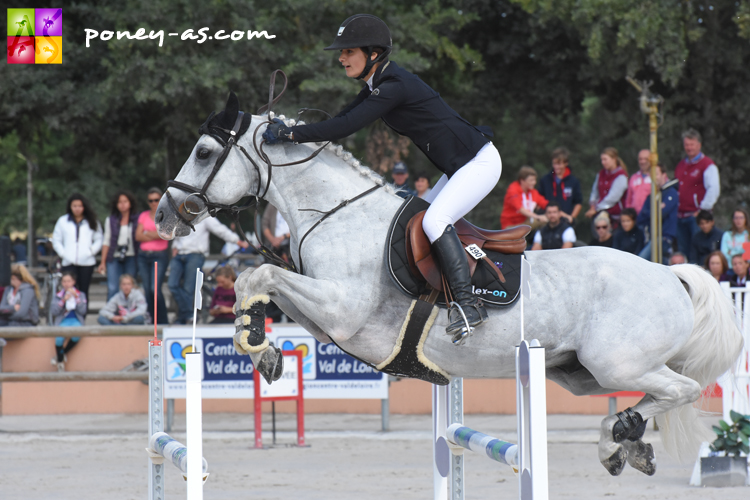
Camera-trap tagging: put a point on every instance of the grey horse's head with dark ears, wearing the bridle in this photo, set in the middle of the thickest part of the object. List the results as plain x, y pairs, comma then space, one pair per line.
215, 176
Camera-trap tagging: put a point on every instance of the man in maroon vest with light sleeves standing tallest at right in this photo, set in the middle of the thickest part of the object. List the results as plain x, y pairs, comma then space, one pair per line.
699, 187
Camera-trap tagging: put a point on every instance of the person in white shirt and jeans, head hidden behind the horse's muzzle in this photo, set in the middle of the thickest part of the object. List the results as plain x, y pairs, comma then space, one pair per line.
188, 255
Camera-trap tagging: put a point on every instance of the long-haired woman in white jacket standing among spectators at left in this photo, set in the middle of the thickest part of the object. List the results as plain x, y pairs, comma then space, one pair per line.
77, 239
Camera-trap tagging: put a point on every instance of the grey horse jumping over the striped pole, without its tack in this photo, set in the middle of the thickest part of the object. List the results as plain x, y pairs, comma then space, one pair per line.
609, 320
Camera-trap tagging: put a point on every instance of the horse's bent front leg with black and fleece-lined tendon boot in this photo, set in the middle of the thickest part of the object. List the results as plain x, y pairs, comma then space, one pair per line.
318, 305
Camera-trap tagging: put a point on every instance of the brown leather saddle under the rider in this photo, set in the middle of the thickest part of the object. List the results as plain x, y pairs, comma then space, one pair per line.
424, 266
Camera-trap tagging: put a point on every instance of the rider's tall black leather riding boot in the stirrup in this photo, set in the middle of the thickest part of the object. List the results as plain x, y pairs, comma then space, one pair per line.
452, 258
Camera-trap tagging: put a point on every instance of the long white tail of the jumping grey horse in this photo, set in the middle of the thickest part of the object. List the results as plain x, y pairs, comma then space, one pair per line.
712, 348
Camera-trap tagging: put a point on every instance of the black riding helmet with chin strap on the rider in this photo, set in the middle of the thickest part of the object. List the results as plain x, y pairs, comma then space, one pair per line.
365, 31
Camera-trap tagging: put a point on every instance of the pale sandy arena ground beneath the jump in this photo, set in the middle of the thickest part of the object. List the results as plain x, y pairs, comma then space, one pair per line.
85, 457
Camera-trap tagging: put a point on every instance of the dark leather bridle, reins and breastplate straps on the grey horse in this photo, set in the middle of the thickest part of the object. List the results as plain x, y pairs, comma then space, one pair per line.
197, 202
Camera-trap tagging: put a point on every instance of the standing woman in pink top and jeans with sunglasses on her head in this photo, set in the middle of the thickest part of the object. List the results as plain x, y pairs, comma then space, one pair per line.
152, 249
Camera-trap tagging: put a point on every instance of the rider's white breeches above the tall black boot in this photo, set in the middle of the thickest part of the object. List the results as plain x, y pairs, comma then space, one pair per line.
453, 198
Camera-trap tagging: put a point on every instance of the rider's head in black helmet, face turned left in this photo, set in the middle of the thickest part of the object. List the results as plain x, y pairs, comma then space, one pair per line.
365, 42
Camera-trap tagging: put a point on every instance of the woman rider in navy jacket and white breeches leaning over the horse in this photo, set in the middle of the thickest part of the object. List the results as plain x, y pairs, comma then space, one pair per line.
470, 163
